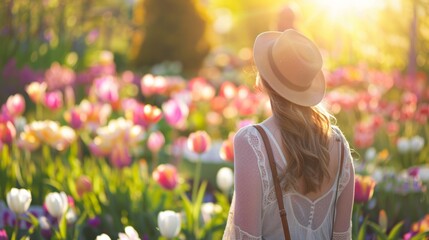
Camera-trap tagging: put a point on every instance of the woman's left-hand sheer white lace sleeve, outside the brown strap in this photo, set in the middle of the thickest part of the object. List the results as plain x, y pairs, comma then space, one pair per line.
244, 221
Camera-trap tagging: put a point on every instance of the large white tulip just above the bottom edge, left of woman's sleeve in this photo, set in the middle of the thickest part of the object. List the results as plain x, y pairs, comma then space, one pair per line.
169, 223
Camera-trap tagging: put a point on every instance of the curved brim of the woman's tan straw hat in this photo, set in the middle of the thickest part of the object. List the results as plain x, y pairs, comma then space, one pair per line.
309, 97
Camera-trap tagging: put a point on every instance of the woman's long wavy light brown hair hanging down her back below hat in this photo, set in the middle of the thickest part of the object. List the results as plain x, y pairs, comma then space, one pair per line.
305, 135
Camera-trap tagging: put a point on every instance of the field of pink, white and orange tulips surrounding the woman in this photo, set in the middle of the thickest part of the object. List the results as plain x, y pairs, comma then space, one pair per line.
152, 156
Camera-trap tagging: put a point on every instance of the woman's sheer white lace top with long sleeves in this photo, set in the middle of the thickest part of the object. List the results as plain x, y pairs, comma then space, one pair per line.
254, 212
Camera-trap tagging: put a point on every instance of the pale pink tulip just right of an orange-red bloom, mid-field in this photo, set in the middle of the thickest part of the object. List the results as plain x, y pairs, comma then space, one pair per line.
176, 113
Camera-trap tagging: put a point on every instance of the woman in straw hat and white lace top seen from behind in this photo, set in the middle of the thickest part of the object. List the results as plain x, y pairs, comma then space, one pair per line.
306, 149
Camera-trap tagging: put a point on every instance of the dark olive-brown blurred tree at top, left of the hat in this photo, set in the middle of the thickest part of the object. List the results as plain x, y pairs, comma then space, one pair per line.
171, 30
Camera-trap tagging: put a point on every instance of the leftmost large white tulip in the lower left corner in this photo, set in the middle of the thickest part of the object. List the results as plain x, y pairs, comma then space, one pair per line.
18, 200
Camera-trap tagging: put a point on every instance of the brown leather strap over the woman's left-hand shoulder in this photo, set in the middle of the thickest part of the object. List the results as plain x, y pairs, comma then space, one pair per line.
277, 188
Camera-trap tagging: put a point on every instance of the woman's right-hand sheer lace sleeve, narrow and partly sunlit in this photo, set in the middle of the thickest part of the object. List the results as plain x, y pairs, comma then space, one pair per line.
343, 225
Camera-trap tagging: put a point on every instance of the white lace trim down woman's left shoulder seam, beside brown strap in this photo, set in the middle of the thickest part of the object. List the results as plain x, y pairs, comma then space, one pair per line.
256, 144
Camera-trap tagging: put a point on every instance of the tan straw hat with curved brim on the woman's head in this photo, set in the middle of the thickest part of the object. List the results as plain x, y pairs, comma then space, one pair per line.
291, 64
